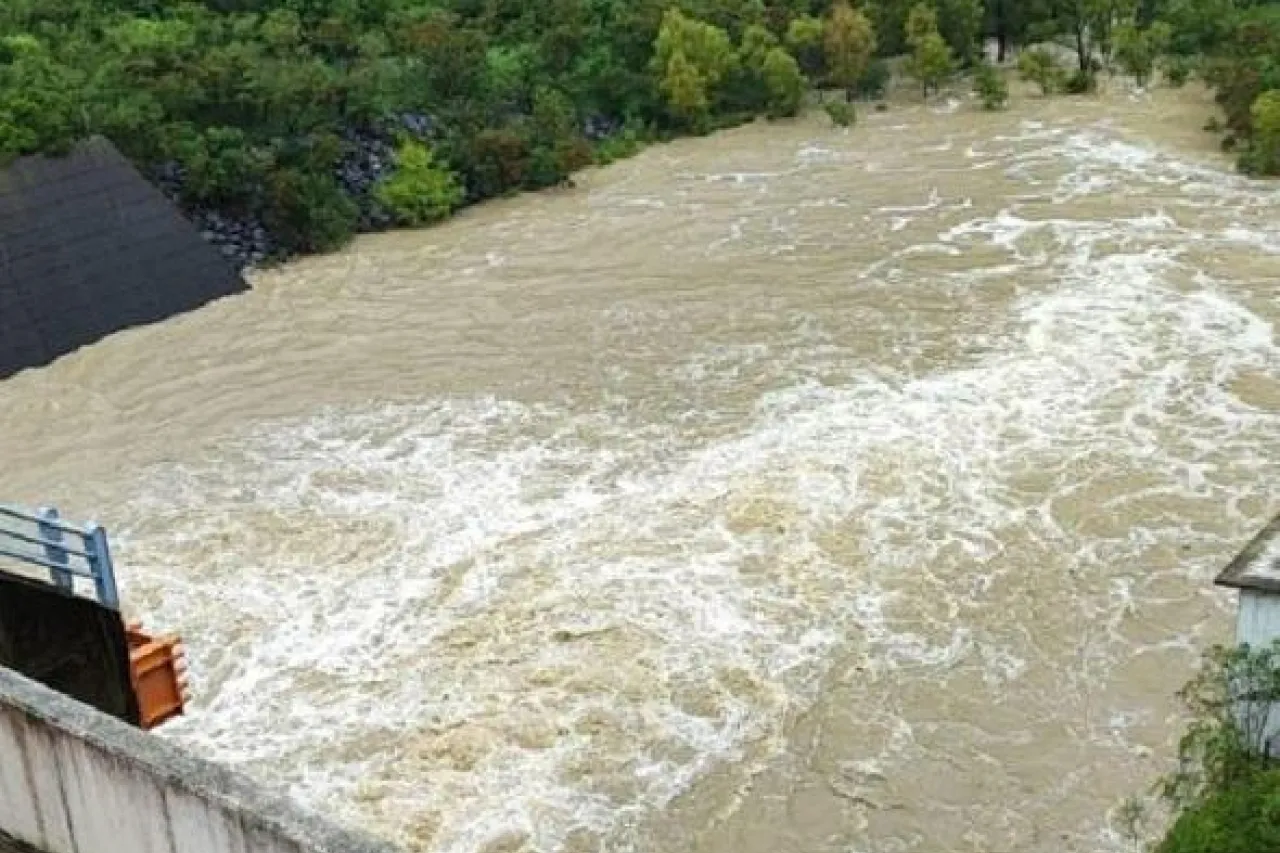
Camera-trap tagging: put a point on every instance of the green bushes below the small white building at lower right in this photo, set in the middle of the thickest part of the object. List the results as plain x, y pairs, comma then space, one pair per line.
1227, 791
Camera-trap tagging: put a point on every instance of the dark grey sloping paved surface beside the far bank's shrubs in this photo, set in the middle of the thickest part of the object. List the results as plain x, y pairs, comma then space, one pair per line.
89, 248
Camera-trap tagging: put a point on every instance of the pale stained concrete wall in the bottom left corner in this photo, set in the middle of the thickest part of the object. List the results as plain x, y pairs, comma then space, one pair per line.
75, 781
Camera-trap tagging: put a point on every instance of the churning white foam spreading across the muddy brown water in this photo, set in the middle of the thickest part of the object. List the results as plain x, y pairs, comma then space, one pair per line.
463, 619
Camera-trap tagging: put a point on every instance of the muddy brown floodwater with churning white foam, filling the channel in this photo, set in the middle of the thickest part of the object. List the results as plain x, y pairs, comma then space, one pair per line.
790, 490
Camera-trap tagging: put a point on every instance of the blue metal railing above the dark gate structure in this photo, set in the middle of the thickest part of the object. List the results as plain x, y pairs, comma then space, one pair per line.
61, 553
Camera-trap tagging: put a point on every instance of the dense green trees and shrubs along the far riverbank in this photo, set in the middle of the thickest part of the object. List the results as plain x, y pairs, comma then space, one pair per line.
286, 126
